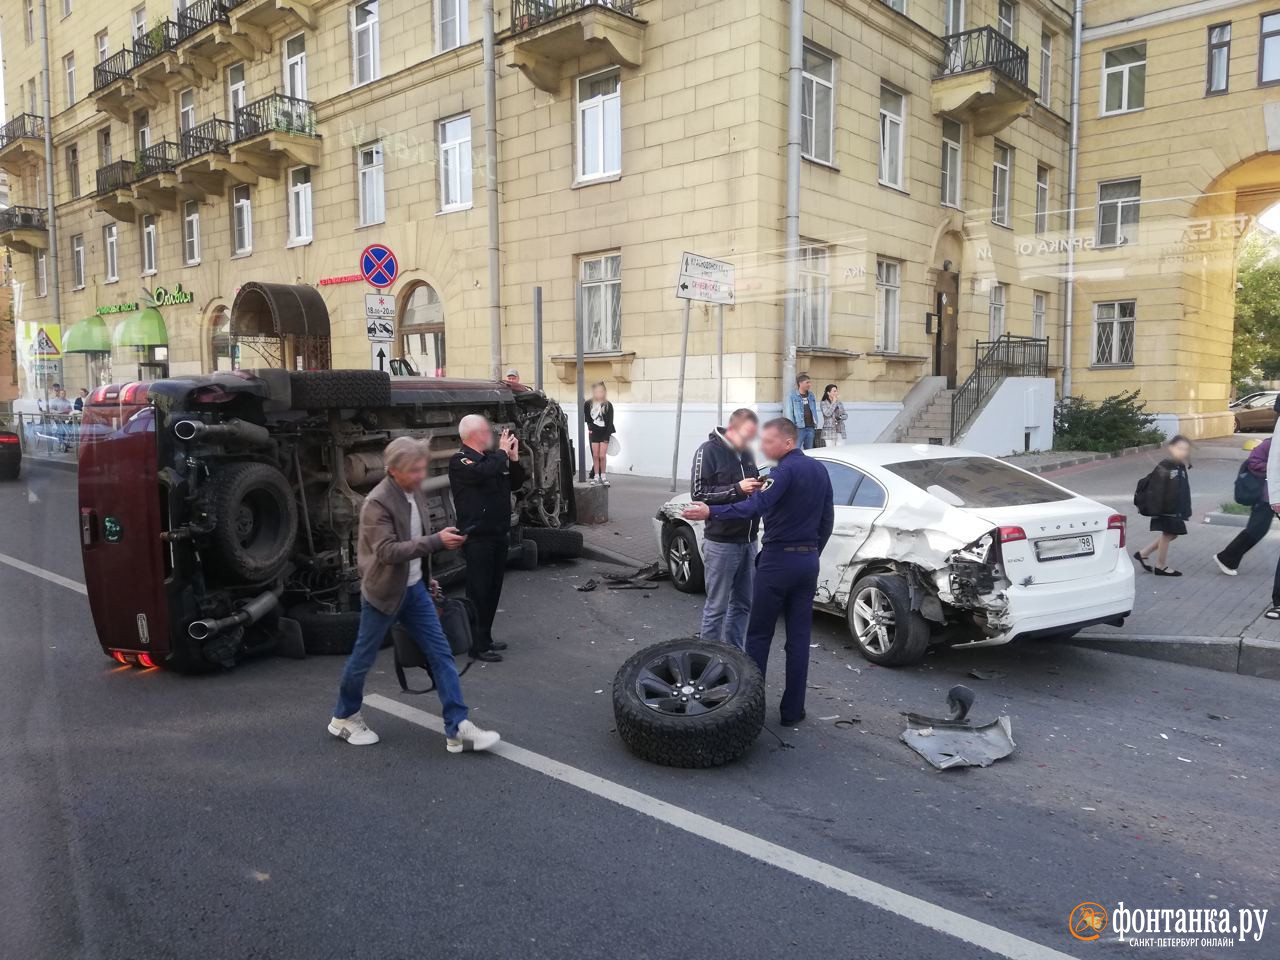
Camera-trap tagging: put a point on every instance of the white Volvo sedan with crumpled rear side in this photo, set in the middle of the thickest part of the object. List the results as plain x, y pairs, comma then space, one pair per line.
941, 546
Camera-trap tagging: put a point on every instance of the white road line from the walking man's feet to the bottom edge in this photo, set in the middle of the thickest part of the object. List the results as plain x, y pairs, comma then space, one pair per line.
921, 912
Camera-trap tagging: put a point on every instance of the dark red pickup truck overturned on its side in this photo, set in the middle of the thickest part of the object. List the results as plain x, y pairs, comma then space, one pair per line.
218, 514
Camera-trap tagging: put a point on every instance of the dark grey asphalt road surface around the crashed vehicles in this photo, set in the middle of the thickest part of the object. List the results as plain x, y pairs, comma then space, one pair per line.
147, 816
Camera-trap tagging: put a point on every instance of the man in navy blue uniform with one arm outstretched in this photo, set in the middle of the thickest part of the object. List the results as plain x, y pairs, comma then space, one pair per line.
796, 502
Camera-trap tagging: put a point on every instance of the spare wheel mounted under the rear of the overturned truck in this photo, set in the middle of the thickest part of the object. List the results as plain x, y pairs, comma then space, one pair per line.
257, 520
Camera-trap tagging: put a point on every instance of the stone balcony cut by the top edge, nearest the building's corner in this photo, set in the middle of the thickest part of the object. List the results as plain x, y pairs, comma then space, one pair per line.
547, 35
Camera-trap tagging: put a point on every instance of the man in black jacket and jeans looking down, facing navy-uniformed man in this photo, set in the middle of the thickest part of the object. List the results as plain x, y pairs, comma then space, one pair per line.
725, 473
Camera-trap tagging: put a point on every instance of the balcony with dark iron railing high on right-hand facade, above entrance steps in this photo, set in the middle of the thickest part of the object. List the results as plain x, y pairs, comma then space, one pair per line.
982, 80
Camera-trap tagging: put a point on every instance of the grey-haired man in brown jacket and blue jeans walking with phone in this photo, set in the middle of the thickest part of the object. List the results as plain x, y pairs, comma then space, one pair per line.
390, 551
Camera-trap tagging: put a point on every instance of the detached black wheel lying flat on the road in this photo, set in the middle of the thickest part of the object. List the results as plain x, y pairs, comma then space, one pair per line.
687, 733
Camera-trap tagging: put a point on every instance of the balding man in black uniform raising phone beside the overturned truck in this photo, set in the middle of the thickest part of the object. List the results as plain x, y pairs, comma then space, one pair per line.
482, 481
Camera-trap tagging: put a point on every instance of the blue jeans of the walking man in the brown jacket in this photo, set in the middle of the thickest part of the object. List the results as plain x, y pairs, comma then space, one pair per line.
418, 615
